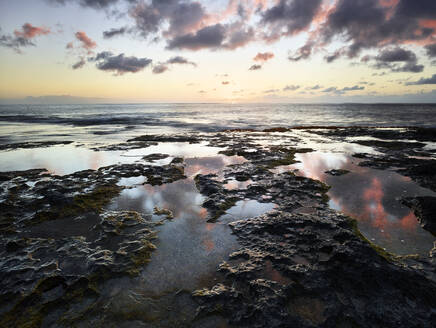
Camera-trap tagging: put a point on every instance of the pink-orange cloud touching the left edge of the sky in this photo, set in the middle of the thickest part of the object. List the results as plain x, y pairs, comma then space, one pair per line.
23, 38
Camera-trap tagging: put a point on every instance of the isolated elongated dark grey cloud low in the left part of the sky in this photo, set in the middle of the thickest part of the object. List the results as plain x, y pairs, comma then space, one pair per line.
120, 64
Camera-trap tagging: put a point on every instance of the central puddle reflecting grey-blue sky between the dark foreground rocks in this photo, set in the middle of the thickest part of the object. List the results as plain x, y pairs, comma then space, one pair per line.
189, 250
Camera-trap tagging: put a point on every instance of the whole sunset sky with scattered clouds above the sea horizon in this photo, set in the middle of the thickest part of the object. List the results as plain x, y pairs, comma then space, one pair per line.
218, 51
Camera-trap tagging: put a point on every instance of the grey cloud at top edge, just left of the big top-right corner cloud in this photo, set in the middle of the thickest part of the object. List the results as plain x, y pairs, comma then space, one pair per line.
288, 17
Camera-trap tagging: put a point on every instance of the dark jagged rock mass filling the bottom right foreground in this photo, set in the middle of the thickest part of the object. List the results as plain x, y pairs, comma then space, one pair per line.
313, 270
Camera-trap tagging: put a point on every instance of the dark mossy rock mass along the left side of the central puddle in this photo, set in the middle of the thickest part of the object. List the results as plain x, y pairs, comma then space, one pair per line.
59, 243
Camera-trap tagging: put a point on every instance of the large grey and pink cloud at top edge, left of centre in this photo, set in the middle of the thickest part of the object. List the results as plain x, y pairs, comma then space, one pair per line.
189, 26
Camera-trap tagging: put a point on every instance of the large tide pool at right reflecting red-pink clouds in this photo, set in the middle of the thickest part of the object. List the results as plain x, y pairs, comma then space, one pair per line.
372, 197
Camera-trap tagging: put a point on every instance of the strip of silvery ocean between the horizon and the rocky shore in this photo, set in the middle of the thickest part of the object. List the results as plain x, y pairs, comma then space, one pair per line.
113, 121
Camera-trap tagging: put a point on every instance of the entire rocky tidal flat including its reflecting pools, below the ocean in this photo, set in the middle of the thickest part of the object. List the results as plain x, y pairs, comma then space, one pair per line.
304, 227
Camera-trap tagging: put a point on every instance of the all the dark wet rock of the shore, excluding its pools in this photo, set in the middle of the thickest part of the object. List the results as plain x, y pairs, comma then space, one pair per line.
299, 265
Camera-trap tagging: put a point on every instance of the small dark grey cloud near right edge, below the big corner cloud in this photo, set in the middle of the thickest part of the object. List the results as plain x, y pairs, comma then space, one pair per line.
398, 60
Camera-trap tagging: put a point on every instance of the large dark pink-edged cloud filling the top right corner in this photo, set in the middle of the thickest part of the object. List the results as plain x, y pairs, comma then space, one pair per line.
368, 23
